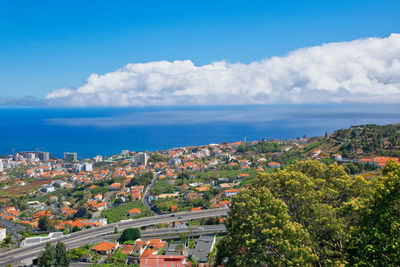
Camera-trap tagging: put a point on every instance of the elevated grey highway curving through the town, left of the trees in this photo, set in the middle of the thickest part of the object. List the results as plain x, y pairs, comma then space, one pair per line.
15, 256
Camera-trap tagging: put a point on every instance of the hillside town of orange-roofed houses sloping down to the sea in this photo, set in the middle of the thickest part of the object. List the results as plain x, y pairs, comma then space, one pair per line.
44, 198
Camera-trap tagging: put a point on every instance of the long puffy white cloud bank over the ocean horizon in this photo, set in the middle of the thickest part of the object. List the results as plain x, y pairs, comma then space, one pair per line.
365, 71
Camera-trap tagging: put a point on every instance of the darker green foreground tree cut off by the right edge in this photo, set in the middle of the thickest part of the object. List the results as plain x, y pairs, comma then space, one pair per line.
374, 240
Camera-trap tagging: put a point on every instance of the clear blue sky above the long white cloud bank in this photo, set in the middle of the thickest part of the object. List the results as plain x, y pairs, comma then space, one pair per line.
46, 45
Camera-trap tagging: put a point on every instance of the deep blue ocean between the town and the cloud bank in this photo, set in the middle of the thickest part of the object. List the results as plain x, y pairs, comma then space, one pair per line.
107, 131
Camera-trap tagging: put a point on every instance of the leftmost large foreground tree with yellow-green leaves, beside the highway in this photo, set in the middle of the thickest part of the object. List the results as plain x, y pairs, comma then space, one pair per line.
260, 233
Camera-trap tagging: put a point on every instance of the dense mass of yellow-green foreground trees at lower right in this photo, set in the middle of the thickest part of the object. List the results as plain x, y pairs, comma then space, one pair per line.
314, 214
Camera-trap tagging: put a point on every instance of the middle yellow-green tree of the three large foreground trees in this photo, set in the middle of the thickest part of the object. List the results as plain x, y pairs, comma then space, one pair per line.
322, 199
